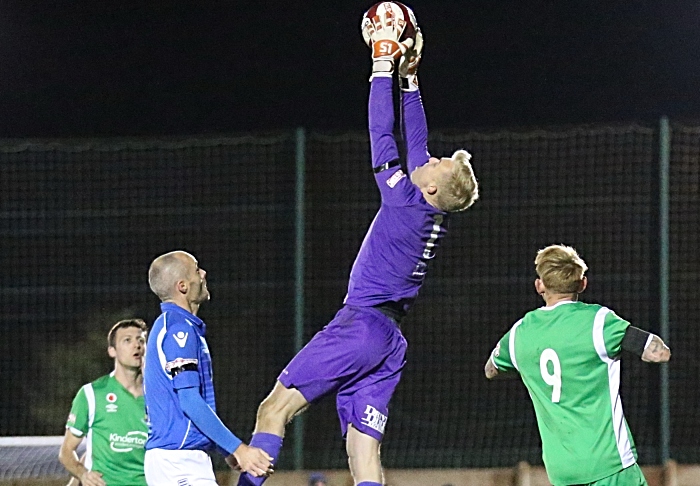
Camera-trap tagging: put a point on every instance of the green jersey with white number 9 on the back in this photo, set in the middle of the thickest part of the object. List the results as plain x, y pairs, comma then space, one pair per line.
568, 357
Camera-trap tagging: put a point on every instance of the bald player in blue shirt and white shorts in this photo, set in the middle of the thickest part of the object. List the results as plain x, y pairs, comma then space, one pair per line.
178, 386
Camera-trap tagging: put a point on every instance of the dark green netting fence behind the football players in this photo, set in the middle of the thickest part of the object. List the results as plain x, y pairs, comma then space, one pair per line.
81, 220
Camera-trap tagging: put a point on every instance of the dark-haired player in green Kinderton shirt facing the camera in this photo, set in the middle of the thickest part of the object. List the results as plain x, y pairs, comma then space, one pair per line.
110, 413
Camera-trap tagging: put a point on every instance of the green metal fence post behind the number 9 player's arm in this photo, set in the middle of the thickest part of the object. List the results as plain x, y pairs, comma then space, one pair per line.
664, 161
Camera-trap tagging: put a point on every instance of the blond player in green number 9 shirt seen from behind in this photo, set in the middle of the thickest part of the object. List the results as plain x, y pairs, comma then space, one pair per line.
568, 356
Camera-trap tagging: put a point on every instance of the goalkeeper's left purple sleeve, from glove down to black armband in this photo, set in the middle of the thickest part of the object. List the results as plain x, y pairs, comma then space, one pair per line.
381, 122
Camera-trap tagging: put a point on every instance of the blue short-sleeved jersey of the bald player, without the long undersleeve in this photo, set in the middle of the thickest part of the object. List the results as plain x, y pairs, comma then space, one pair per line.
176, 342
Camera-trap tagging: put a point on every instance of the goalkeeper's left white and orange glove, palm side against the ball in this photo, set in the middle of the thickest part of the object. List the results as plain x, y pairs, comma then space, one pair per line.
382, 34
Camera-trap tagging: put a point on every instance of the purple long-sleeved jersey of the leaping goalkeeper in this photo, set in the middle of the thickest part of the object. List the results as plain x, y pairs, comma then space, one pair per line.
392, 261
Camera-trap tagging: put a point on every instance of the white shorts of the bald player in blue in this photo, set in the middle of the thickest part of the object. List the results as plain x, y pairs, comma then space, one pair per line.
178, 468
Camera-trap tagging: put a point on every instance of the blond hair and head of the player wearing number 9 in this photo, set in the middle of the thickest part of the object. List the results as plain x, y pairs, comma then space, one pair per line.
560, 268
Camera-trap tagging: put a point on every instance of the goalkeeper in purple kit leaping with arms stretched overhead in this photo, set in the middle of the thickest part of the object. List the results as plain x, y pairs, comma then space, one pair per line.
359, 355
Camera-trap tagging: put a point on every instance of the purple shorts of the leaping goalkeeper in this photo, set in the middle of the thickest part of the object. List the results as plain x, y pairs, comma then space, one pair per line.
359, 355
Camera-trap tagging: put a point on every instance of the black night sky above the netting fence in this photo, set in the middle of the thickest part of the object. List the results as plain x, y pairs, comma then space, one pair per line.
88, 68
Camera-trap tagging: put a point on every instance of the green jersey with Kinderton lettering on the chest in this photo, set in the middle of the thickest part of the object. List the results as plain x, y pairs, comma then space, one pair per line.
114, 423
